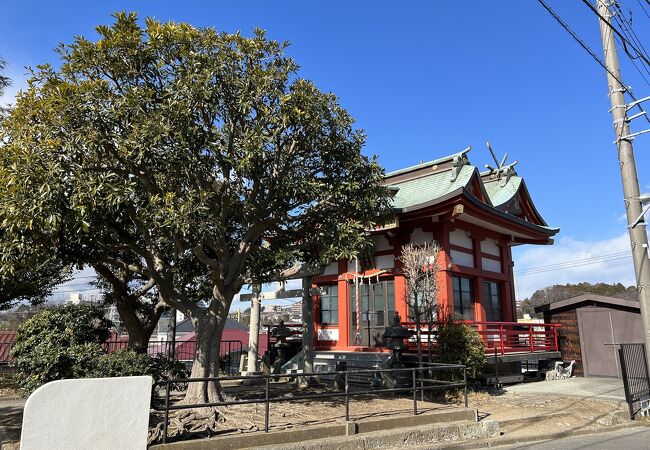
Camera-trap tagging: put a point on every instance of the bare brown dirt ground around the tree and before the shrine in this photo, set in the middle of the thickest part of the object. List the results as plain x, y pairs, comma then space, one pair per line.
519, 414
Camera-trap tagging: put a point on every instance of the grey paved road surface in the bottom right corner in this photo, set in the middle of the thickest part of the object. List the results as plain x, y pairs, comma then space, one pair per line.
631, 438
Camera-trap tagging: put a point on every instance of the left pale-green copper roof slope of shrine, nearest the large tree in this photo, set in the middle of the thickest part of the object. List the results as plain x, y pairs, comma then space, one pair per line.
430, 187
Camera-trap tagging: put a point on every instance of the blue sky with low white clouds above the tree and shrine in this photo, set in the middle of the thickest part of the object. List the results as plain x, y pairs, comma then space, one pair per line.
425, 79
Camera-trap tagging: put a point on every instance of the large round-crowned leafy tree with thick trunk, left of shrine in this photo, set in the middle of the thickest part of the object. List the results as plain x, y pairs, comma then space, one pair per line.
173, 143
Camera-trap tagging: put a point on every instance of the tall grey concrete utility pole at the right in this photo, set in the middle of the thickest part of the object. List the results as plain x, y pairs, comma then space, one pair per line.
636, 224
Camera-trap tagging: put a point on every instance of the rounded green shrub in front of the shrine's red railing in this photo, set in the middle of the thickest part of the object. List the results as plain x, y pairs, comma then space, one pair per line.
458, 343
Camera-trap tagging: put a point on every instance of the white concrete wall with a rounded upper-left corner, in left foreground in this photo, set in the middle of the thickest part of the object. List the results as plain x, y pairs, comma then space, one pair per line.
88, 413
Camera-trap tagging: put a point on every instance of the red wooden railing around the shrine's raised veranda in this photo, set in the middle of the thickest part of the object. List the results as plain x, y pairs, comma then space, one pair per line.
506, 337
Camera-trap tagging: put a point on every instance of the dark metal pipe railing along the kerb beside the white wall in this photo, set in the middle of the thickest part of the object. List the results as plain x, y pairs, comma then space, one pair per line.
420, 380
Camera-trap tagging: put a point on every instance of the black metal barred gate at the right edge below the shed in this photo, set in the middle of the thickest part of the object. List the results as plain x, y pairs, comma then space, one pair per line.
636, 381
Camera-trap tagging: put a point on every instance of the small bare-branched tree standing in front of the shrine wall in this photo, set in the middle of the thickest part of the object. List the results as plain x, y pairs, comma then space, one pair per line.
420, 267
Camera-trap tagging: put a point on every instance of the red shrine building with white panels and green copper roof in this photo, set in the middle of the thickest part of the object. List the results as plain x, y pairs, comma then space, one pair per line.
476, 217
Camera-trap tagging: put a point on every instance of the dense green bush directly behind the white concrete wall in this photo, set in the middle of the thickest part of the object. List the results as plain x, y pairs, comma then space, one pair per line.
65, 342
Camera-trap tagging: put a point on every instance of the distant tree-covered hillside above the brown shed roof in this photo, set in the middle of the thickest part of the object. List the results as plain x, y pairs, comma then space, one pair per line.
559, 292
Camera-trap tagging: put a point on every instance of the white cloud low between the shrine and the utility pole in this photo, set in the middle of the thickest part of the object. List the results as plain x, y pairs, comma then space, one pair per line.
579, 264
